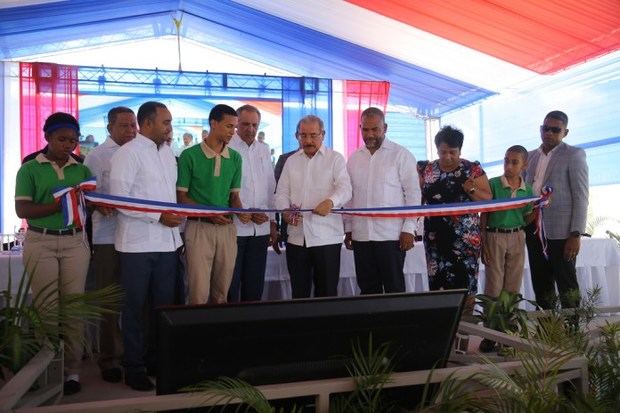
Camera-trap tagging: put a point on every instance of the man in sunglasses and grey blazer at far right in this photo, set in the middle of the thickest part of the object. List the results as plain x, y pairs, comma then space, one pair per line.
562, 167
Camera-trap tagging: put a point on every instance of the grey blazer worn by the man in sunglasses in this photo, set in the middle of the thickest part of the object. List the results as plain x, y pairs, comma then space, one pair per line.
567, 174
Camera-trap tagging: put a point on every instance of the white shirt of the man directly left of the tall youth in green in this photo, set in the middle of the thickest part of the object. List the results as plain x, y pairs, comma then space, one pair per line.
141, 170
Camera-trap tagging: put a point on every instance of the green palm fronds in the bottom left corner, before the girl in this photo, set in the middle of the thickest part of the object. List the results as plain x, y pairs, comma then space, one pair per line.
27, 323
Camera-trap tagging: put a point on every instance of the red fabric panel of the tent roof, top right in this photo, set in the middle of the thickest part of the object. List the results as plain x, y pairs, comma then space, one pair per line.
573, 31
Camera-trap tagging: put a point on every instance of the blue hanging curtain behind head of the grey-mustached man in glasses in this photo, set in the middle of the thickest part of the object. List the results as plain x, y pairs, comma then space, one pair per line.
305, 96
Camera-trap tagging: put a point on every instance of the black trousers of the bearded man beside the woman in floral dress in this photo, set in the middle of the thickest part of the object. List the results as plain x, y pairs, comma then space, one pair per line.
379, 266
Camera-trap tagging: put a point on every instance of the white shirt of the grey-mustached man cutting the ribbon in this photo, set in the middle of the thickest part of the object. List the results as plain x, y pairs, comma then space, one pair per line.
306, 182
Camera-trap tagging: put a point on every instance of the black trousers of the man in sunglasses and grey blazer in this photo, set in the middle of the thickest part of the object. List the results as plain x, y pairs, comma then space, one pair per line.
546, 273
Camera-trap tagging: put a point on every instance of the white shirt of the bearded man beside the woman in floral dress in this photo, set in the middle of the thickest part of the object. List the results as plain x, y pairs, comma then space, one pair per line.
387, 178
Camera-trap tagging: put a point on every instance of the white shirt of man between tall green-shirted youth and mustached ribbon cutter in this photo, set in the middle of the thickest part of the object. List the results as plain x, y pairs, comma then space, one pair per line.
257, 183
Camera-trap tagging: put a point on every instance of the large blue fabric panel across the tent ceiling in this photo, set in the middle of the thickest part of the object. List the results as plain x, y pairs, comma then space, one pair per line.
230, 26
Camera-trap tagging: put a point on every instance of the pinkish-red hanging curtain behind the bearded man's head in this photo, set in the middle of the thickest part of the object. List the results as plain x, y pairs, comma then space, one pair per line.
359, 95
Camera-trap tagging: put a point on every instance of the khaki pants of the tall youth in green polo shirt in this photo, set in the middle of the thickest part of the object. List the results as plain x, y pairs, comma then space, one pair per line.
210, 251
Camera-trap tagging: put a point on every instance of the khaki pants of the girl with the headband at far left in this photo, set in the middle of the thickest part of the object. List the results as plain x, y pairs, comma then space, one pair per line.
60, 260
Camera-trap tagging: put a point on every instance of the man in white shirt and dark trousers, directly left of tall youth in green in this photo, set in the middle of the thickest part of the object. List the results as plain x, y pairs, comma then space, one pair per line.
145, 168
